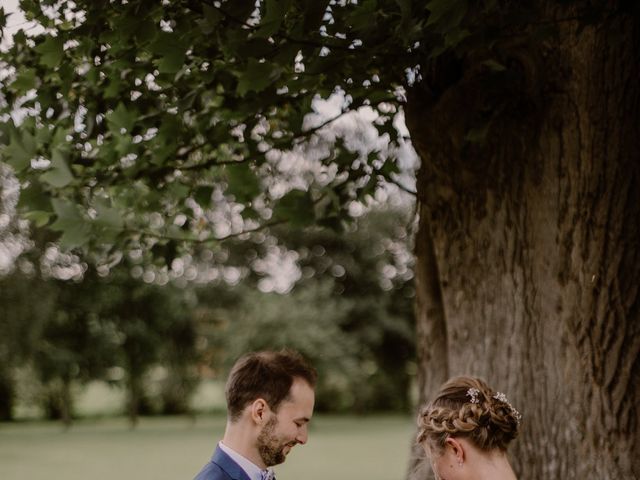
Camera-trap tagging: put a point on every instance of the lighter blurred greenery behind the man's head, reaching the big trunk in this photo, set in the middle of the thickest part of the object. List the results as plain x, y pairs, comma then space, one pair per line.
350, 313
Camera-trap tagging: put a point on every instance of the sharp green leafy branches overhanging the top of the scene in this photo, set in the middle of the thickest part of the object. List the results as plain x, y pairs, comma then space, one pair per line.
136, 117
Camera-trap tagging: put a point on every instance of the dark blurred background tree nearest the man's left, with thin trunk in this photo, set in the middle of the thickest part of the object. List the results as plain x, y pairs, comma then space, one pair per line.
154, 327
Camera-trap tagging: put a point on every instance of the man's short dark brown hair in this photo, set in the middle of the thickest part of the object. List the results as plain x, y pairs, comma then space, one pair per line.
267, 375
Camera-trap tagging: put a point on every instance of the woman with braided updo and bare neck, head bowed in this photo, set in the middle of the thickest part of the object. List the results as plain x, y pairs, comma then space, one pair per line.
466, 429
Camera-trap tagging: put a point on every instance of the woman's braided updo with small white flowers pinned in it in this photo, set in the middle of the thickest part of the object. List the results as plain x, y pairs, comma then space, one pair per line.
467, 407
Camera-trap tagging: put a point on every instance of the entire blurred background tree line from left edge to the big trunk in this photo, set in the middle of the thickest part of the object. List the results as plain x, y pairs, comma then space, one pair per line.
350, 312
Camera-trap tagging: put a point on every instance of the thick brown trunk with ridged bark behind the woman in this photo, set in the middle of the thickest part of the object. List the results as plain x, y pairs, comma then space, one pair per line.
528, 264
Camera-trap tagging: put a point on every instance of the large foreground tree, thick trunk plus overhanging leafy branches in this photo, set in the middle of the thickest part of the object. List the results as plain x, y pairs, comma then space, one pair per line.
146, 124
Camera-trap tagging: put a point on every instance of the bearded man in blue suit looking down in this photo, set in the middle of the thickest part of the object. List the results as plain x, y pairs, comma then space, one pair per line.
270, 397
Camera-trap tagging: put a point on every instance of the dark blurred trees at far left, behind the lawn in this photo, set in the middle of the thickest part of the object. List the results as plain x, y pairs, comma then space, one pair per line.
82, 331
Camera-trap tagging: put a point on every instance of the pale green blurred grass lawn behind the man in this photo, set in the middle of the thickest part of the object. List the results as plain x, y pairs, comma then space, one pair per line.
354, 448
